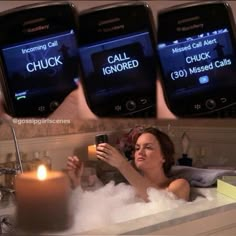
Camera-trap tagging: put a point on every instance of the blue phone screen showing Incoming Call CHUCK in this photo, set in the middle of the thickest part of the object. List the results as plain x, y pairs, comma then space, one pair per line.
41, 66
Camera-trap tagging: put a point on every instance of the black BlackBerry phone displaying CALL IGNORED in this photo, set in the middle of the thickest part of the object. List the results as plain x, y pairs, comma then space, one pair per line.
118, 60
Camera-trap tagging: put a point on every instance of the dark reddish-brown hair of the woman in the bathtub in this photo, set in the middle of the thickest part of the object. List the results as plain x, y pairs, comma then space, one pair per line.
166, 145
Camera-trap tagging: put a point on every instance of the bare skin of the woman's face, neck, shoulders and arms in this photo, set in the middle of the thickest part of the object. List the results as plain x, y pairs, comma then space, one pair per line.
149, 160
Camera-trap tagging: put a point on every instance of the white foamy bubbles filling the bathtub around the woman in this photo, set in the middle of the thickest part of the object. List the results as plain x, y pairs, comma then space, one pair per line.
112, 204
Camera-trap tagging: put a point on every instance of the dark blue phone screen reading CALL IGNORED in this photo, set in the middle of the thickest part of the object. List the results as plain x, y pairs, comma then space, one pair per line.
122, 65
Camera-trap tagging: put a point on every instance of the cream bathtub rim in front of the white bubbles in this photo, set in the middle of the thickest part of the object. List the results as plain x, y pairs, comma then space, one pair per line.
147, 224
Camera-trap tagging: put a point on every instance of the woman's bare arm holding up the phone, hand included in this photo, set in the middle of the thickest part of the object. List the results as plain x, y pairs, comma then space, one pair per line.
113, 157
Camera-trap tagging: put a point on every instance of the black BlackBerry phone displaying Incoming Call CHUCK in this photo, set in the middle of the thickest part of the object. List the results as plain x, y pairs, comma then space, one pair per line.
39, 57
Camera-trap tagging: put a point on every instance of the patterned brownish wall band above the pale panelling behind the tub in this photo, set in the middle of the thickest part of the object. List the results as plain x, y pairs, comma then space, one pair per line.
28, 129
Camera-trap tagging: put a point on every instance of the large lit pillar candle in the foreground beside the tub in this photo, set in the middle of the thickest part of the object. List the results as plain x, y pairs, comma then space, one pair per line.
42, 201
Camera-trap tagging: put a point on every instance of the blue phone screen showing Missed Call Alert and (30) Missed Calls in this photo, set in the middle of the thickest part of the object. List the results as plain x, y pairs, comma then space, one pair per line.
201, 62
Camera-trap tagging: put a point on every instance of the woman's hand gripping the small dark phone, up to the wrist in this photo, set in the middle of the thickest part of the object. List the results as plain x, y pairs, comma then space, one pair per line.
110, 155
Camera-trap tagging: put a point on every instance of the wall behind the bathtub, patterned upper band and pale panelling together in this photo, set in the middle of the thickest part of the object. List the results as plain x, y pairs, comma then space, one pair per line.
216, 141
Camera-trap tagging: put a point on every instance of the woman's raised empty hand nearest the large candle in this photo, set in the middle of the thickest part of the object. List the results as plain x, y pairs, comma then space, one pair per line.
75, 168
